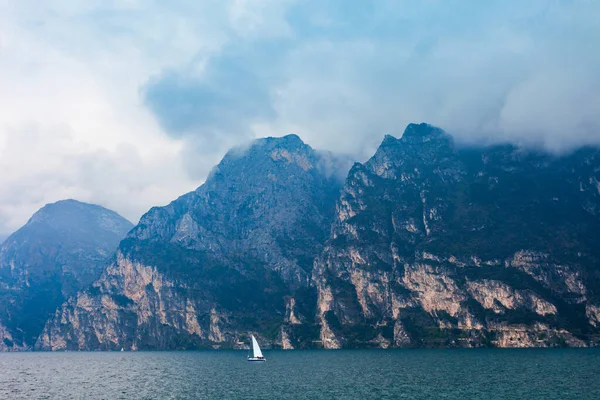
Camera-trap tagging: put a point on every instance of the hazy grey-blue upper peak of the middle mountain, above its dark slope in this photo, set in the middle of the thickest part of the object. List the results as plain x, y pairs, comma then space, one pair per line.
263, 200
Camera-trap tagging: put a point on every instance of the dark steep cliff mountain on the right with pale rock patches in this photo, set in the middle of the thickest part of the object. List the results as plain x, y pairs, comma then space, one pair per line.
434, 246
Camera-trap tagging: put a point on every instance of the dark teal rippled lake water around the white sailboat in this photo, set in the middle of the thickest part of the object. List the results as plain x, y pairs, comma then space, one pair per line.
368, 374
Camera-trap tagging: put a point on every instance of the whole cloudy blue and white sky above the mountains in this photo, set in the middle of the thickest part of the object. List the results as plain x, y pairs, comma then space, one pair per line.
129, 103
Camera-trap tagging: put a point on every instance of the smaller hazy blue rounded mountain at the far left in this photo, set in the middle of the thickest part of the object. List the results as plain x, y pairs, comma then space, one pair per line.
61, 250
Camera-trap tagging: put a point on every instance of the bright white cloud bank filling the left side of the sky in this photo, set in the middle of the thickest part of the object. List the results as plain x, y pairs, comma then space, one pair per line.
73, 124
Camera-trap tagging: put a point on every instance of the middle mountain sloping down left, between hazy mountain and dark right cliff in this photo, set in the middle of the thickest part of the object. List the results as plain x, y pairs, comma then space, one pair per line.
233, 257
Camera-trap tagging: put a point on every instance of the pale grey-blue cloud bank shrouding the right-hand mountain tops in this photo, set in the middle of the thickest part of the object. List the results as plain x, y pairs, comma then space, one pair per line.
522, 72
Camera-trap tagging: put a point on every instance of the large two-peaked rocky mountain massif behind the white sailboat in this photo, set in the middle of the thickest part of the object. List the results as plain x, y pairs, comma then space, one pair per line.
425, 245
